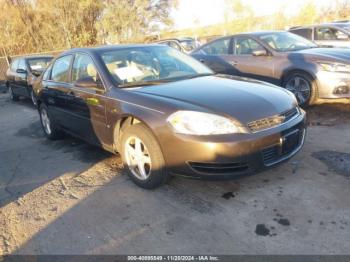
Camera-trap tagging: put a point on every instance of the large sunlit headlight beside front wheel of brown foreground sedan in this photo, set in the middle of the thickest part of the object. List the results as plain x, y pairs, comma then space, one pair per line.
199, 123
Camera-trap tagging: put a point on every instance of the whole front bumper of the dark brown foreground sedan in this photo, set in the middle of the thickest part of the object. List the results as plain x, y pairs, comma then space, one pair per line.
229, 156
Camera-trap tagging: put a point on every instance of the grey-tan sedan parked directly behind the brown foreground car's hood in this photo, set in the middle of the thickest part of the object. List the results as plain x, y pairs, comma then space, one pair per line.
282, 58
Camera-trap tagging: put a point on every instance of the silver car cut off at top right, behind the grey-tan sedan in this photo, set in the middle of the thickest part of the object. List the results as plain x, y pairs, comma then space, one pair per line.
336, 34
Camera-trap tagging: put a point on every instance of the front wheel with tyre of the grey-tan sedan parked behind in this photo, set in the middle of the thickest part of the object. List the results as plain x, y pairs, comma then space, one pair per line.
302, 86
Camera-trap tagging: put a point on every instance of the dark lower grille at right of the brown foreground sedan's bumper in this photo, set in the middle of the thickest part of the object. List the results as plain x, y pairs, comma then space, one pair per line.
291, 140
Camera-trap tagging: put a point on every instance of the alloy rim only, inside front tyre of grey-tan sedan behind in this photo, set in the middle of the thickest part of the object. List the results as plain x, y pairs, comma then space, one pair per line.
300, 87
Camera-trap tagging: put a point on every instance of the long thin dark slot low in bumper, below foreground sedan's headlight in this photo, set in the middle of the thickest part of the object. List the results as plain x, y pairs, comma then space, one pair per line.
218, 168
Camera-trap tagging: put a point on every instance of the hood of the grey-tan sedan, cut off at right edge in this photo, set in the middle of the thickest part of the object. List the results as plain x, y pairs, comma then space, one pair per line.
332, 54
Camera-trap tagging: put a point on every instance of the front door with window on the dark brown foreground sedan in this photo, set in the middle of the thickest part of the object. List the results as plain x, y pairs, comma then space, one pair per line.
87, 106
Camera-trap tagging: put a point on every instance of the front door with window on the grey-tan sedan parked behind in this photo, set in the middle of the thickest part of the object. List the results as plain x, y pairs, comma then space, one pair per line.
249, 65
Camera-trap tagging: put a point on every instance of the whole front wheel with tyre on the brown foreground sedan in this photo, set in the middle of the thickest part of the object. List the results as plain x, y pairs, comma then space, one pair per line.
142, 156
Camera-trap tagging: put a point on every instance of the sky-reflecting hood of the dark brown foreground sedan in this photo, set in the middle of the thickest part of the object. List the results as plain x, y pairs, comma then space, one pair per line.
240, 98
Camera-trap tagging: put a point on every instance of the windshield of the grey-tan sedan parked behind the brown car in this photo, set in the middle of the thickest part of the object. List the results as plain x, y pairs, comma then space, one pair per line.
286, 42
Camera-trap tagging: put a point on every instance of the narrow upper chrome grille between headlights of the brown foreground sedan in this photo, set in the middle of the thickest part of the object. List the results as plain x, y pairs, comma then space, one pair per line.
269, 122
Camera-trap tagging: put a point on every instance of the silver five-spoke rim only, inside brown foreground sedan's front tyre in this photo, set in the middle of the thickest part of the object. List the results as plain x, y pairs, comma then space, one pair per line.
138, 158
